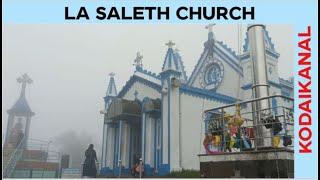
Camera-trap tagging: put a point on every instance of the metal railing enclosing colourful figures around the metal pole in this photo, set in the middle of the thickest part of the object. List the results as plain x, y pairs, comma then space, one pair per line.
250, 128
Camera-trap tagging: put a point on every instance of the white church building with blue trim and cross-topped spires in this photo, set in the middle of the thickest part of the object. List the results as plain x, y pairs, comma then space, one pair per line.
159, 118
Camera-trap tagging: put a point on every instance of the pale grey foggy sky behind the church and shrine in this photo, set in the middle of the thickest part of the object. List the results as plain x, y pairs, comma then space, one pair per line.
69, 65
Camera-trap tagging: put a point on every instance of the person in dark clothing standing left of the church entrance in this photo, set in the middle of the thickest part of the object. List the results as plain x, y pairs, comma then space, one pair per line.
89, 166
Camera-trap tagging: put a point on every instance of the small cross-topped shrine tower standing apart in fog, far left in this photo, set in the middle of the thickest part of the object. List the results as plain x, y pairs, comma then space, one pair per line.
19, 119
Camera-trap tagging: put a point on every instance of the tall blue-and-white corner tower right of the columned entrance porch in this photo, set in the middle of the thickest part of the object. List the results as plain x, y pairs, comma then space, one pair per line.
171, 76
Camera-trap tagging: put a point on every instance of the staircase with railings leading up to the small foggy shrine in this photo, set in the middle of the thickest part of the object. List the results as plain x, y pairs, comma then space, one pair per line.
11, 156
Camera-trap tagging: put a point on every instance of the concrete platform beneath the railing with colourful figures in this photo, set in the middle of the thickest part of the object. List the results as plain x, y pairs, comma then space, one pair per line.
268, 163
